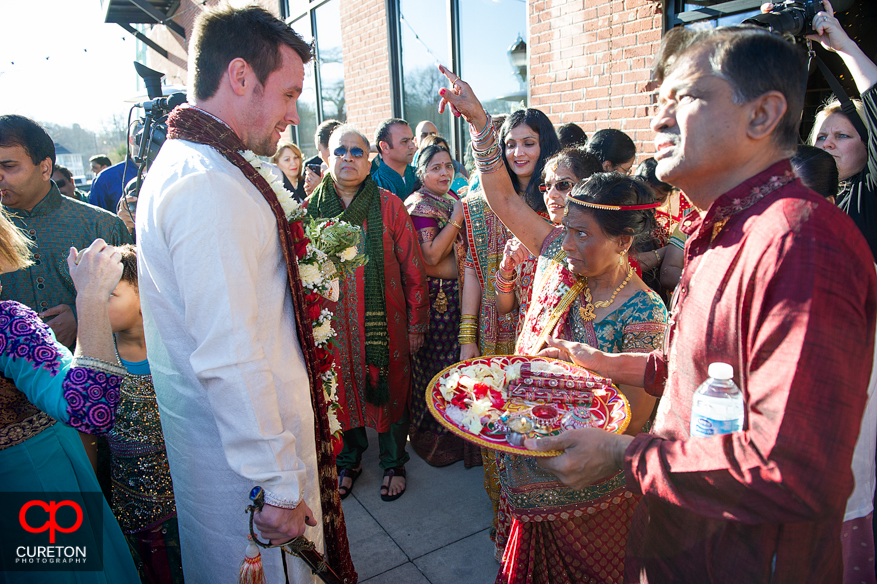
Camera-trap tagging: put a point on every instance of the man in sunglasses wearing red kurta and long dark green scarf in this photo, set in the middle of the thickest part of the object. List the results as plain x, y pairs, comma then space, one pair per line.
381, 316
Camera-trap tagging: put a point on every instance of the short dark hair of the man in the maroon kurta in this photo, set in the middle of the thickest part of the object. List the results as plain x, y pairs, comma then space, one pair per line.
752, 60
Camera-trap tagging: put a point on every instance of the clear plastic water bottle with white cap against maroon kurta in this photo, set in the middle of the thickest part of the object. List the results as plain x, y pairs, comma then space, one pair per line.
718, 406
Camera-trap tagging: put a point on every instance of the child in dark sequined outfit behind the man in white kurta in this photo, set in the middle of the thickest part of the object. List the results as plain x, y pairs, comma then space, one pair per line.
143, 497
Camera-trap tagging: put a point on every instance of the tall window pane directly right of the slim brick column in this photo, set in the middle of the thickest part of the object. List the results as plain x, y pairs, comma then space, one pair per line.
423, 28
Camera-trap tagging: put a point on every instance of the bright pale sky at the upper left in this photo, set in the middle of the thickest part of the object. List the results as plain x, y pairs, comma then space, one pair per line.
60, 63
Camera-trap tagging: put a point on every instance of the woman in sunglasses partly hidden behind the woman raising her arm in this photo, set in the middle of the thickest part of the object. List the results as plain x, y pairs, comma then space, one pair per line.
562, 172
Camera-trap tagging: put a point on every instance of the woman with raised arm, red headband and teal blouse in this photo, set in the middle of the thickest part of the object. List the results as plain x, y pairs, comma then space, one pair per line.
584, 291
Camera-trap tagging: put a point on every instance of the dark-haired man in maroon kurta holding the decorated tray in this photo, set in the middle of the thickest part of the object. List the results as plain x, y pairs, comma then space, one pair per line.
777, 283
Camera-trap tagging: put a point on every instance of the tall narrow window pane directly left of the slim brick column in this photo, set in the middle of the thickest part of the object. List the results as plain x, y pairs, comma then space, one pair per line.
330, 61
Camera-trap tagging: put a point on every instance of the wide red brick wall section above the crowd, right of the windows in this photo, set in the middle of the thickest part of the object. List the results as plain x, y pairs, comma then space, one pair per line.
590, 62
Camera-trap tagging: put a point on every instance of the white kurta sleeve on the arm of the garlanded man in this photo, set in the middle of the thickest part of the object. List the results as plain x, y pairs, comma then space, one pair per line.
221, 242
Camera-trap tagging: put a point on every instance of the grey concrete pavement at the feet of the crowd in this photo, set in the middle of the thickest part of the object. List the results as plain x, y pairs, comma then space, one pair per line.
436, 533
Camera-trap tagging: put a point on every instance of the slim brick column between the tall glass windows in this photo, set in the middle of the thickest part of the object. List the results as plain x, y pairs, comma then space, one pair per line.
366, 63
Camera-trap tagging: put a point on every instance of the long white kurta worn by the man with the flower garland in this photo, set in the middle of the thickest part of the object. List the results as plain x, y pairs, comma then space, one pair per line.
228, 370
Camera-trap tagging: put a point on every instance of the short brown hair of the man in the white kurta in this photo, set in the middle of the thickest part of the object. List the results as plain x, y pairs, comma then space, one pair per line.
251, 33
